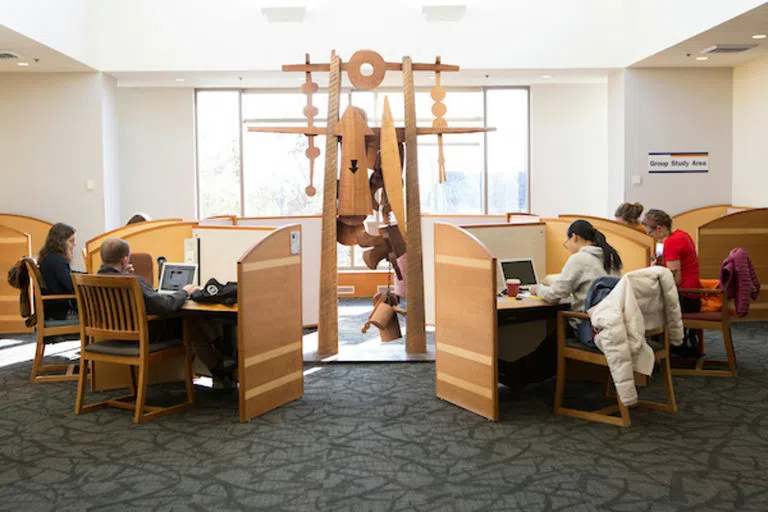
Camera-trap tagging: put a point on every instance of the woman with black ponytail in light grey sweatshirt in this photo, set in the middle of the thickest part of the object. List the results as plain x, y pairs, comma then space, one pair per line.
591, 257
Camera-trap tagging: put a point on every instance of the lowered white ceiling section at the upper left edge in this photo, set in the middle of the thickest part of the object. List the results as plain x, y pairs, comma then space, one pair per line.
40, 57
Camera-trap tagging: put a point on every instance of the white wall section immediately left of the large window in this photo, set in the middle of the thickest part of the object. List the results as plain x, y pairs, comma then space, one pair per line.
157, 152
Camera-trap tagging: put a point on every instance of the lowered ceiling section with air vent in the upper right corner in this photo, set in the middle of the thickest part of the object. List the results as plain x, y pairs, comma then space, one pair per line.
738, 30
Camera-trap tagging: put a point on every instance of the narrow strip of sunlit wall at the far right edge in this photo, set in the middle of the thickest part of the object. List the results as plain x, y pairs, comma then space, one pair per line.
750, 150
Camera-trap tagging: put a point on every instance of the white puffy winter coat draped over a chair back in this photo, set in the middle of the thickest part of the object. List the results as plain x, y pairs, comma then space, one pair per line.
621, 319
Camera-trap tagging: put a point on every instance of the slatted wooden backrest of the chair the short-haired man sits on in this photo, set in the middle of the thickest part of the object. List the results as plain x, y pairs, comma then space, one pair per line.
111, 307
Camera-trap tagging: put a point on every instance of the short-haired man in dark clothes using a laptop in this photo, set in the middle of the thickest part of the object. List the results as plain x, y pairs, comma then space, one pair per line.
115, 257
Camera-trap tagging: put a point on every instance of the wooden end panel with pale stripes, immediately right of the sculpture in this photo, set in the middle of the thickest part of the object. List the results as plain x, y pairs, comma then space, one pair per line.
466, 334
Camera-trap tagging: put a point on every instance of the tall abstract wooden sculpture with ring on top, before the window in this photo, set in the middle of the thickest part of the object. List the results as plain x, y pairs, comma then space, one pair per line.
354, 199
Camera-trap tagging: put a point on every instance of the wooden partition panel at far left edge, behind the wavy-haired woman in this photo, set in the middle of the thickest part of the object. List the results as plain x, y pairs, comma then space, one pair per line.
14, 245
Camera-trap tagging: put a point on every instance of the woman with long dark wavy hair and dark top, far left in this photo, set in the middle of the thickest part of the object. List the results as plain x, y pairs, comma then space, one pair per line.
54, 261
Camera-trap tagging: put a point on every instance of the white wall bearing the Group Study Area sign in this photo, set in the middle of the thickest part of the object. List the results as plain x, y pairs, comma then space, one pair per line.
678, 110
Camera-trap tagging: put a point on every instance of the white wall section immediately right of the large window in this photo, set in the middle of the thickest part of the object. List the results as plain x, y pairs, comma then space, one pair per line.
569, 149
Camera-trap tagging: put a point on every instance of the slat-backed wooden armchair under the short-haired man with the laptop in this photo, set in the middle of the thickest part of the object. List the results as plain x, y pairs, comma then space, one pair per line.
114, 329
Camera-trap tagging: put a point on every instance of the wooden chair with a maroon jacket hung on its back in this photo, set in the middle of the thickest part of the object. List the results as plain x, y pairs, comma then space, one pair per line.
715, 321
